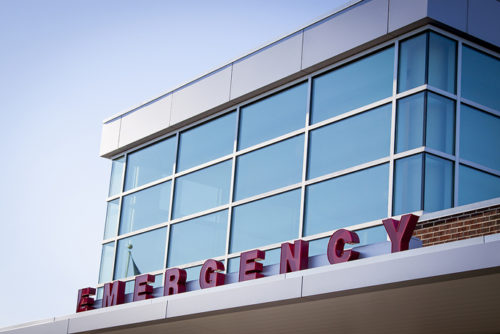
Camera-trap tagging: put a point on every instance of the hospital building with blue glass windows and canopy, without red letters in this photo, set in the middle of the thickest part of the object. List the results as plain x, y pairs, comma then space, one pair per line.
379, 110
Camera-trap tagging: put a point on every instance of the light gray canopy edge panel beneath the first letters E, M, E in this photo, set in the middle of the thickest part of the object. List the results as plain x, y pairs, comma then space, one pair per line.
118, 315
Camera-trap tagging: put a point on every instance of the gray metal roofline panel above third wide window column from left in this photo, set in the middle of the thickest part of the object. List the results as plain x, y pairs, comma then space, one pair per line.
266, 66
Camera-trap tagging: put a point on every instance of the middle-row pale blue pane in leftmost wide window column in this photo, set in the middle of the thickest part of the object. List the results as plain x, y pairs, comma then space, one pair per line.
145, 208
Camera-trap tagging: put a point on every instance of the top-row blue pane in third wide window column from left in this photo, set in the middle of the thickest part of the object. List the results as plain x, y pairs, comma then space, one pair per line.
273, 116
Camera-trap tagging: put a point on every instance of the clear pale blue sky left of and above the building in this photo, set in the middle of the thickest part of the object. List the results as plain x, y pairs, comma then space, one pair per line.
67, 65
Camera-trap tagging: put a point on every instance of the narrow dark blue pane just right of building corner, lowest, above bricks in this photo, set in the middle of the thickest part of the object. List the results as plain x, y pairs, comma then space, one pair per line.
438, 183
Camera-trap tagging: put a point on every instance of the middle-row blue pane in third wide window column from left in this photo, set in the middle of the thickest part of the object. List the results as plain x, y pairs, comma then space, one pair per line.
269, 168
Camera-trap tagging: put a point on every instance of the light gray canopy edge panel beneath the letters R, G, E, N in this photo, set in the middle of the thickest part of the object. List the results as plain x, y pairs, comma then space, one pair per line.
264, 290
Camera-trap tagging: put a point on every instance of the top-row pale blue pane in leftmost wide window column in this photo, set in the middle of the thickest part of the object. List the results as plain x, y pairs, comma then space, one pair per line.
150, 163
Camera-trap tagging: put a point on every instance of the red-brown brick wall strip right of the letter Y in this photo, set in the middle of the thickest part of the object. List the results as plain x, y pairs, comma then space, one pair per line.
463, 225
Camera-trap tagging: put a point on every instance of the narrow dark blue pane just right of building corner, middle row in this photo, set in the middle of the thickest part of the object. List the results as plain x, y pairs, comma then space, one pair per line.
440, 127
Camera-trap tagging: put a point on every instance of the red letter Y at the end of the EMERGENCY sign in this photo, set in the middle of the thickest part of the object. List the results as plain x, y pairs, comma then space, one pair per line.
400, 232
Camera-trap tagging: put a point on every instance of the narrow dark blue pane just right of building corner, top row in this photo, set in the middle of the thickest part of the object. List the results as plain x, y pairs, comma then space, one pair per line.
442, 62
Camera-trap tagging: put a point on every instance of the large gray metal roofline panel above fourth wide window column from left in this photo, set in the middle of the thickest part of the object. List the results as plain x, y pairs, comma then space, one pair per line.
346, 30
